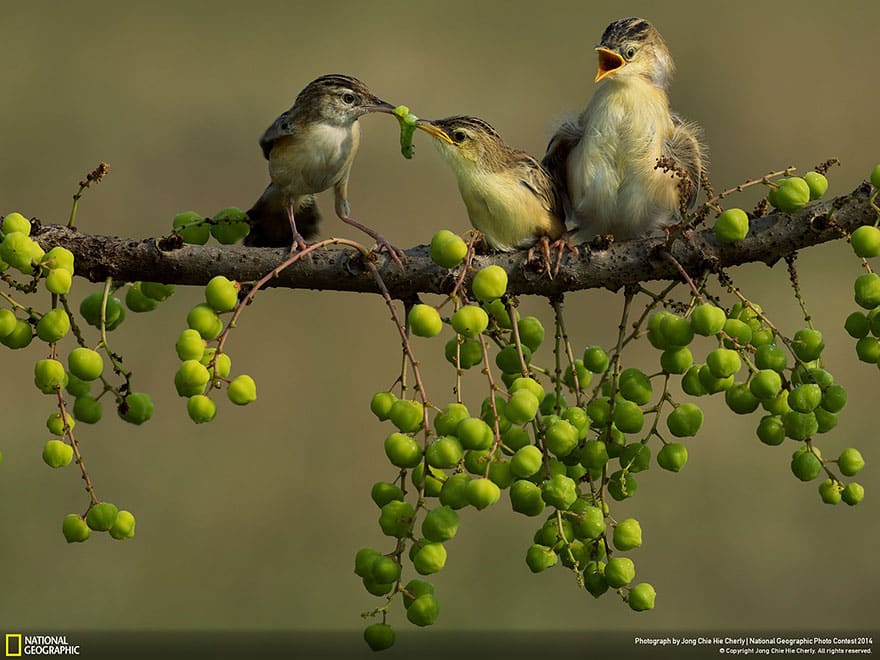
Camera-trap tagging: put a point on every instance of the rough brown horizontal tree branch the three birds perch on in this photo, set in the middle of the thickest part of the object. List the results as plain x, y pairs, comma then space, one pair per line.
340, 269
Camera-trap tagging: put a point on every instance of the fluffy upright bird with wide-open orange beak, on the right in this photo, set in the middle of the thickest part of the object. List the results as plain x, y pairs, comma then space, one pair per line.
627, 166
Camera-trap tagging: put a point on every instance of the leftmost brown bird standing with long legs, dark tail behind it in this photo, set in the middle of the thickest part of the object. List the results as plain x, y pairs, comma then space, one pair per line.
311, 148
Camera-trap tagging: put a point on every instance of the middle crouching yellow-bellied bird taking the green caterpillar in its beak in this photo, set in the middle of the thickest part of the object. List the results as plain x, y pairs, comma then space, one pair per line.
509, 196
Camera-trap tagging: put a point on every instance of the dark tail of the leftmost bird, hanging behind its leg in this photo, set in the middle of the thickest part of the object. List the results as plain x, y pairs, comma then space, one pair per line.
270, 226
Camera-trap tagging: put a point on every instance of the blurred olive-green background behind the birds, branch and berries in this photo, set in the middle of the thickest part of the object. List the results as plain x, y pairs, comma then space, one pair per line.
252, 522
